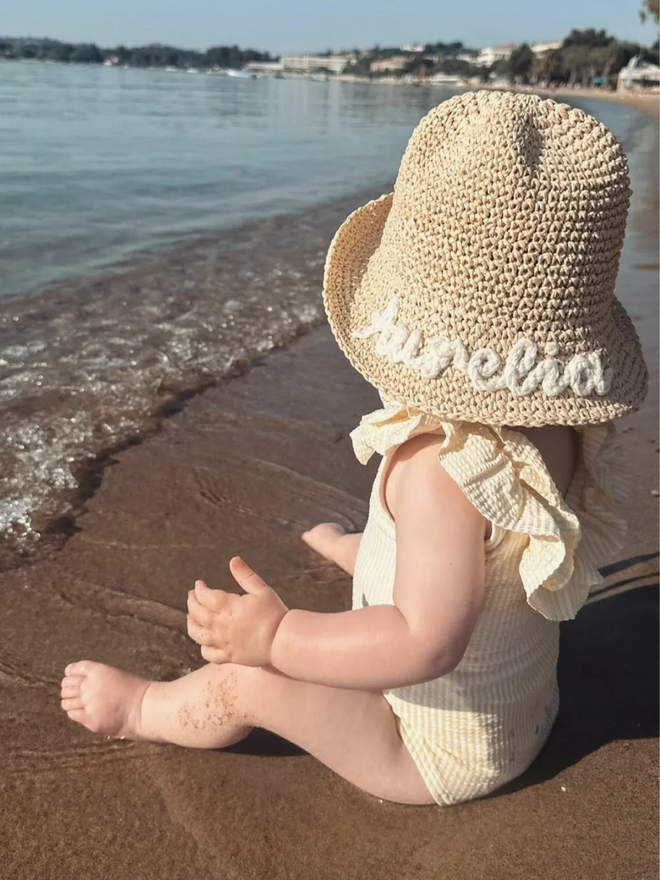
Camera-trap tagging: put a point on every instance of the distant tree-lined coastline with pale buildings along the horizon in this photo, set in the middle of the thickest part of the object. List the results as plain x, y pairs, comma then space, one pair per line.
585, 58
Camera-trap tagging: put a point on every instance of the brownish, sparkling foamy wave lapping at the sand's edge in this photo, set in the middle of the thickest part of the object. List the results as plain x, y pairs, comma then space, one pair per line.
88, 366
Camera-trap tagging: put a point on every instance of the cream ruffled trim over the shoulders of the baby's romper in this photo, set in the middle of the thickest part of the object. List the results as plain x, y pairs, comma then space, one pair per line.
504, 476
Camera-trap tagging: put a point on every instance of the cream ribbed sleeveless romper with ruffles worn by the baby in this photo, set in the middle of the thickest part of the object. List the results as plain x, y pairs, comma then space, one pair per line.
483, 724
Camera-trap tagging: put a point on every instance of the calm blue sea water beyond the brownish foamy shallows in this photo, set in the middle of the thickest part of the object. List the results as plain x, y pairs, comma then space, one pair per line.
98, 162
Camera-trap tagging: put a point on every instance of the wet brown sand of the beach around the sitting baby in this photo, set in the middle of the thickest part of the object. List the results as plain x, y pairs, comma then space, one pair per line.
246, 467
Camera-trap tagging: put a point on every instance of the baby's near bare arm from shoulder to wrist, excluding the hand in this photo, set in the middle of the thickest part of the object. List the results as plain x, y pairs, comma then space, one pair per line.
438, 594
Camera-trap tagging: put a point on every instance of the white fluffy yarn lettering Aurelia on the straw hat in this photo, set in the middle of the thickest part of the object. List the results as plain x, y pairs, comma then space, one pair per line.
523, 373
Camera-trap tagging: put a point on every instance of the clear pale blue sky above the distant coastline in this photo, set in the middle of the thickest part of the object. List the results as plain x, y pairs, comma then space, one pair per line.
310, 26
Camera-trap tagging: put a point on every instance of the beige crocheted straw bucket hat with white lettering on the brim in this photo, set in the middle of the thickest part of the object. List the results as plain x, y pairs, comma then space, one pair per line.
482, 289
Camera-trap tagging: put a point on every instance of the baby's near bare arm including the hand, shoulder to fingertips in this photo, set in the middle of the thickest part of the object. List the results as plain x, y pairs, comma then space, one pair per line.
438, 593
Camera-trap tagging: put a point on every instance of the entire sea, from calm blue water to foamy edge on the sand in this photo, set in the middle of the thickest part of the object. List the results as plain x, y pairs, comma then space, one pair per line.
185, 179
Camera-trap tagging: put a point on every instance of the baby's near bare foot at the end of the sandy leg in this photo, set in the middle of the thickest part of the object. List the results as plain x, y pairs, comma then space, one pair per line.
103, 699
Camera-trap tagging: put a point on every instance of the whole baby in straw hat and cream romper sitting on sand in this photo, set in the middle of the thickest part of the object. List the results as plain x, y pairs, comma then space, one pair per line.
478, 299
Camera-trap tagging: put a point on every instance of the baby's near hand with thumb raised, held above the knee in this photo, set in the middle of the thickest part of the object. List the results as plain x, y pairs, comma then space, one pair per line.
231, 628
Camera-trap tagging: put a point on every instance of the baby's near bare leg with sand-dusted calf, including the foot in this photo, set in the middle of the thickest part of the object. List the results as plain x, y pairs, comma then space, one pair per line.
352, 732
